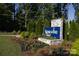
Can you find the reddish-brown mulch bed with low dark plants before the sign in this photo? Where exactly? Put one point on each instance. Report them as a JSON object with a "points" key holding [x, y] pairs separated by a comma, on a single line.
{"points": [[33, 47]]}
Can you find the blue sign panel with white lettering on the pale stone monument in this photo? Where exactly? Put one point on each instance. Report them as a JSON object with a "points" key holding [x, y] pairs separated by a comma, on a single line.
{"points": [[53, 32]]}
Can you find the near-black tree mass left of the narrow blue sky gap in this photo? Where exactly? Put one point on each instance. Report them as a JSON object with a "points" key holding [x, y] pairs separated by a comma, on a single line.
{"points": [[6, 13]]}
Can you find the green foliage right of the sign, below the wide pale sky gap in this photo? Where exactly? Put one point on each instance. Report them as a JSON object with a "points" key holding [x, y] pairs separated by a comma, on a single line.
{"points": [[74, 30]]}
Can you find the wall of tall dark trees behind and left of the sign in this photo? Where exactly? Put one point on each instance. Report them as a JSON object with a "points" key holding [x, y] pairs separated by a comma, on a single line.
{"points": [[28, 17]]}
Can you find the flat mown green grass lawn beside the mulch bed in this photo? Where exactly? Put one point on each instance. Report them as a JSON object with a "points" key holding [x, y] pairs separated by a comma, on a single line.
{"points": [[8, 47]]}
